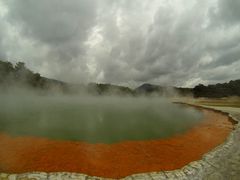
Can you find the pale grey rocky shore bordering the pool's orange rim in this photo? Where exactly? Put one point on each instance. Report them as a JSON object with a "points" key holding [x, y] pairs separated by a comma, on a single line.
{"points": [[223, 162]]}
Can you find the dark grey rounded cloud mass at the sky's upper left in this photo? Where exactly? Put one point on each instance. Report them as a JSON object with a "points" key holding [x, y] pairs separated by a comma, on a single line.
{"points": [[53, 22]]}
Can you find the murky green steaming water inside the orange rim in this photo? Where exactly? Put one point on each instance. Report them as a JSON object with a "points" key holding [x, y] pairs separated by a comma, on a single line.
{"points": [[94, 119]]}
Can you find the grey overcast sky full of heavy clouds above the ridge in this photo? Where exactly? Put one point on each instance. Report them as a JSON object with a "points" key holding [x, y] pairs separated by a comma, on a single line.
{"points": [[126, 42]]}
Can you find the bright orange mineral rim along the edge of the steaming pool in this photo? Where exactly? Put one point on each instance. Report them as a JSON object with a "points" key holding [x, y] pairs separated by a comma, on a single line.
{"points": [[25, 154]]}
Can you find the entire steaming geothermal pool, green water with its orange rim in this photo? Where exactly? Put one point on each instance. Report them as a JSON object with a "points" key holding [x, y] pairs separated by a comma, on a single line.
{"points": [[104, 136]]}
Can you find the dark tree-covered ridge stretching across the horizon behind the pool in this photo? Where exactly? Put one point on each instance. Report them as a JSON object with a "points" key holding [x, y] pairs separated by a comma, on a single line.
{"points": [[20, 76]]}
